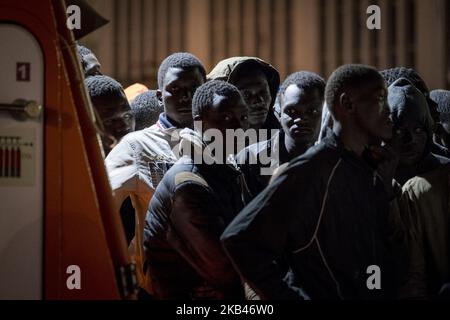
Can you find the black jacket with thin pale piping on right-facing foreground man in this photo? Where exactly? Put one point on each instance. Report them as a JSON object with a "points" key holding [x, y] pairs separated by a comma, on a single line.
{"points": [[327, 213]]}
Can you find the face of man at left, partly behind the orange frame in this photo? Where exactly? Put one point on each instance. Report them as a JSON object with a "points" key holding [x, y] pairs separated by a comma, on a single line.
{"points": [[116, 116]]}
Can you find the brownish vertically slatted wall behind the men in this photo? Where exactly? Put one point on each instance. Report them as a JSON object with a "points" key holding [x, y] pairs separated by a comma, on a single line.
{"points": [[314, 35]]}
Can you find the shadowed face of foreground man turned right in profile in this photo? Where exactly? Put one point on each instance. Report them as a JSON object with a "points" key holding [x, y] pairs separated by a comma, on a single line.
{"points": [[372, 110]]}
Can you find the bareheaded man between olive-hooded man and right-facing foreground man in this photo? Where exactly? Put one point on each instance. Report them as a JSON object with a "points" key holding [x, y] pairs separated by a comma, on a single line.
{"points": [[300, 101]]}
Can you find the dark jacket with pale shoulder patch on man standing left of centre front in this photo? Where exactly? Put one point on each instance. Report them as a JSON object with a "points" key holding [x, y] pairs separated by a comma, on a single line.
{"points": [[188, 212]]}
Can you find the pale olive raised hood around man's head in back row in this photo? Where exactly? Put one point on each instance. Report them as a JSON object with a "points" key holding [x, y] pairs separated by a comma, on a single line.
{"points": [[227, 69]]}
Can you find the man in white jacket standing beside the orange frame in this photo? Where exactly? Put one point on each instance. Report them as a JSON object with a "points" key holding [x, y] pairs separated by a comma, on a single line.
{"points": [[138, 163]]}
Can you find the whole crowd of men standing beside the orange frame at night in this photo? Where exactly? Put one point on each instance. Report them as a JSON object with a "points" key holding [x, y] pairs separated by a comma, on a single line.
{"points": [[343, 195]]}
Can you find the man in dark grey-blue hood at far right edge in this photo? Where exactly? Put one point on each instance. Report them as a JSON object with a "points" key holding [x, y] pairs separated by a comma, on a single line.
{"points": [[424, 205]]}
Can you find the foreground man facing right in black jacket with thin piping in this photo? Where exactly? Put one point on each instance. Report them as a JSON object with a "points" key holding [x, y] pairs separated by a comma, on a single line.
{"points": [[327, 212]]}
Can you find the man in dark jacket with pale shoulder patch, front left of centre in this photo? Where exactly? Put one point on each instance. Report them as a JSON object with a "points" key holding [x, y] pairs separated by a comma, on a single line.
{"points": [[194, 203]]}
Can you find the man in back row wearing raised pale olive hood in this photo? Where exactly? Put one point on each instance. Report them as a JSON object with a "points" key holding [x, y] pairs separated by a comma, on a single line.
{"points": [[258, 83]]}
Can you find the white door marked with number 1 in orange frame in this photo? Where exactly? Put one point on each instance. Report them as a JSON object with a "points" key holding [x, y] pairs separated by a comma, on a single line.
{"points": [[21, 165]]}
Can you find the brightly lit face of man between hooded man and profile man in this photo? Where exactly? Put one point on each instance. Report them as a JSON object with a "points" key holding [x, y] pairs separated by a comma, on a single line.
{"points": [[301, 114]]}
